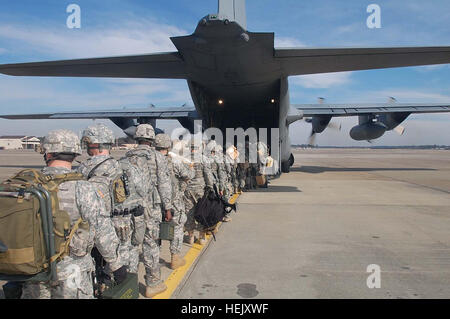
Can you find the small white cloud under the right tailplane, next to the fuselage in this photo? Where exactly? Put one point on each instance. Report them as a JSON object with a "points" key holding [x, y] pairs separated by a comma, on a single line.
{"points": [[322, 81]]}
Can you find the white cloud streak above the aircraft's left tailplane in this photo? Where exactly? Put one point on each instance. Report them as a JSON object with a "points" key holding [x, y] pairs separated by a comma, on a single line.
{"points": [[138, 37]]}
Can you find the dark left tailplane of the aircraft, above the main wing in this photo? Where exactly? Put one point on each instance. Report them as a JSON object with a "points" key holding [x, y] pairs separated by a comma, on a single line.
{"points": [[161, 65]]}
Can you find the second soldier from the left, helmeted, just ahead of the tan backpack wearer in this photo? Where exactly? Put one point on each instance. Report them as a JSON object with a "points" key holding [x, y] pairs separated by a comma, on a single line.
{"points": [[104, 171]]}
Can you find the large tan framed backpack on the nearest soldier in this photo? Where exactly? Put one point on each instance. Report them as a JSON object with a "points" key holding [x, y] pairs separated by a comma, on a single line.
{"points": [[34, 231]]}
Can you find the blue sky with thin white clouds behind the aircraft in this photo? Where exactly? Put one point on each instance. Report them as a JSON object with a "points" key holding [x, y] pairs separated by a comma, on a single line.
{"points": [[36, 30]]}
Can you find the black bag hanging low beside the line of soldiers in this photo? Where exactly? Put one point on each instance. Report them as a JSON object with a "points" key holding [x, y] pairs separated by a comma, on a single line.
{"points": [[211, 209]]}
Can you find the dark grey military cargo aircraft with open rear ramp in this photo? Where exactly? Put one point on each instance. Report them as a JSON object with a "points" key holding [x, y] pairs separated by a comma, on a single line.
{"points": [[238, 79]]}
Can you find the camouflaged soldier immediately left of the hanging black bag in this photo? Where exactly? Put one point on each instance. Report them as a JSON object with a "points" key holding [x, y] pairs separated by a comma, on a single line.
{"points": [[196, 189]]}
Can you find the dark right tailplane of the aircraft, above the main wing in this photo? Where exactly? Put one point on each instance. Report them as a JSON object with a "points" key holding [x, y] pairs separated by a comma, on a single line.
{"points": [[311, 61]]}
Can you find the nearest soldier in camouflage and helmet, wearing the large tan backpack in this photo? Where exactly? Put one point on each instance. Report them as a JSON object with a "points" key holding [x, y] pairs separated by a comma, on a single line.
{"points": [[79, 199]]}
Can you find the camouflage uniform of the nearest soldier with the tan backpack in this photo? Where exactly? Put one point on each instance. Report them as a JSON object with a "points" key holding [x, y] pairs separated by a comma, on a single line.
{"points": [[80, 199]]}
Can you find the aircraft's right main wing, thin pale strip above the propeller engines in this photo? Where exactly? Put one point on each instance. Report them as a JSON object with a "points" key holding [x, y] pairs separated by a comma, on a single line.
{"points": [[351, 109]]}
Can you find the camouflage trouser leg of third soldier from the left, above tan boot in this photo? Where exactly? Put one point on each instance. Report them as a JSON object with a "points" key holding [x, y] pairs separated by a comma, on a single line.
{"points": [[151, 247]]}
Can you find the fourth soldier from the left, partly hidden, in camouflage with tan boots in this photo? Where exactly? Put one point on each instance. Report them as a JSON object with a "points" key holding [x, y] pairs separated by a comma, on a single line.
{"points": [[180, 174]]}
